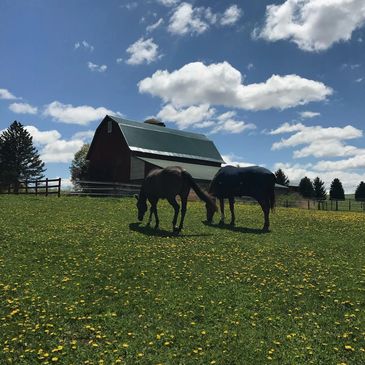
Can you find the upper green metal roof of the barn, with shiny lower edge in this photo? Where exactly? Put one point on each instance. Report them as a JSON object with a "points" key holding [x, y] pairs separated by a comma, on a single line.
{"points": [[148, 138]]}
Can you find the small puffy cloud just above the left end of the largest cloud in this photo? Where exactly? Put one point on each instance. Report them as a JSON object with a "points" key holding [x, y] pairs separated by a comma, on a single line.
{"points": [[142, 51]]}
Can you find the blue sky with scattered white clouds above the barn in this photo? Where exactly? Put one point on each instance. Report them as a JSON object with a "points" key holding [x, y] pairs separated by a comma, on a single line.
{"points": [[272, 83]]}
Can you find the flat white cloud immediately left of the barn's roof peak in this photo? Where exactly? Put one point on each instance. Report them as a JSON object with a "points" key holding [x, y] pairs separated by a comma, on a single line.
{"points": [[67, 113]]}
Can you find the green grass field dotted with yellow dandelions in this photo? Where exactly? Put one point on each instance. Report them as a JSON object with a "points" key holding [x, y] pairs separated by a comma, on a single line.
{"points": [[82, 283]]}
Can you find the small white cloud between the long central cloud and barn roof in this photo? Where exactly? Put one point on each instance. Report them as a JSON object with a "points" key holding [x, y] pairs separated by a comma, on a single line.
{"points": [[185, 118]]}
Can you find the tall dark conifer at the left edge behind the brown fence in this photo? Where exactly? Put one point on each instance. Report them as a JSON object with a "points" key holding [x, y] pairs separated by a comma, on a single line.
{"points": [[19, 159]]}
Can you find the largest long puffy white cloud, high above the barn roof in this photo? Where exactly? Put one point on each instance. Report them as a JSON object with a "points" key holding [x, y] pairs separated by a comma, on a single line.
{"points": [[221, 84]]}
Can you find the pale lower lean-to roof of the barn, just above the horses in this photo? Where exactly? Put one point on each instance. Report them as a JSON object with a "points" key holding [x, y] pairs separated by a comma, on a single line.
{"points": [[200, 172]]}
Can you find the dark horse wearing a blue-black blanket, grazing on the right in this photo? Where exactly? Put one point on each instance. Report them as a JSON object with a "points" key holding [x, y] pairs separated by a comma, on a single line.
{"points": [[254, 181]]}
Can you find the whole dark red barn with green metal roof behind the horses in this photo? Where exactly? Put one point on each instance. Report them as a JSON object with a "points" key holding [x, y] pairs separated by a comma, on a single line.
{"points": [[125, 151]]}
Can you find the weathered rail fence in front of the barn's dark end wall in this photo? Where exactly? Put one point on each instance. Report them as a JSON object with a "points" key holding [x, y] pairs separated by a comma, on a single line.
{"points": [[104, 188]]}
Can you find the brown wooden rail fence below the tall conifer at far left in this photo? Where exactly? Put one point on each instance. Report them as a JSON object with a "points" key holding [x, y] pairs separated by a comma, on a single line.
{"points": [[38, 187]]}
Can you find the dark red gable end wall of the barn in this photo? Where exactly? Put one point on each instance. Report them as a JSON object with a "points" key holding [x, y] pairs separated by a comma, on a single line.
{"points": [[109, 154]]}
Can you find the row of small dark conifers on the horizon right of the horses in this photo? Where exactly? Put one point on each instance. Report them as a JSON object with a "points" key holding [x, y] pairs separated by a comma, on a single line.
{"points": [[316, 189]]}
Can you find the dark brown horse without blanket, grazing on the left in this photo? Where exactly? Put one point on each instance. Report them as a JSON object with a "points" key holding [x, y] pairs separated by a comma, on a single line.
{"points": [[167, 183]]}
